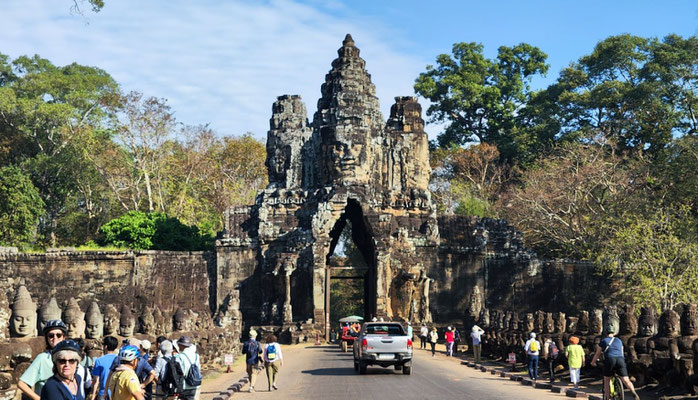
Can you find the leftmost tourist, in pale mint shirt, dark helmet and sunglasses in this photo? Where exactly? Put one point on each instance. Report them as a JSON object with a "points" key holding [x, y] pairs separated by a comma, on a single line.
{"points": [[41, 369]]}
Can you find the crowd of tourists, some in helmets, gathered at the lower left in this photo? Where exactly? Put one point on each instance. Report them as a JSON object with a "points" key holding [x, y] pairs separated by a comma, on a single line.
{"points": [[65, 372]]}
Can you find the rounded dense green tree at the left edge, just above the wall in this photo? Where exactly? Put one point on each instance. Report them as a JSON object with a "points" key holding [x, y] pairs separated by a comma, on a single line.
{"points": [[20, 207]]}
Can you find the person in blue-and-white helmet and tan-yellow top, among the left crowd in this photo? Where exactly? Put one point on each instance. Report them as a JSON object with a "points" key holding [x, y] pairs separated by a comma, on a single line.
{"points": [[123, 383]]}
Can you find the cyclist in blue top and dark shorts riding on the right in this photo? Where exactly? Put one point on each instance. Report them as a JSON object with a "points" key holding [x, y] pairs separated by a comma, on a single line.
{"points": [[612, 349]]}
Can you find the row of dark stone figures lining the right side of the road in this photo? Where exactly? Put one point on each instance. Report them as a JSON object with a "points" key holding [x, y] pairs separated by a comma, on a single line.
{"points": [[660, 348]]}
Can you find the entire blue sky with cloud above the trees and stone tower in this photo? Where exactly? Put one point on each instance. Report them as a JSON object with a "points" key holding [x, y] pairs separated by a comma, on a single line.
{"points": [[224, 62]]}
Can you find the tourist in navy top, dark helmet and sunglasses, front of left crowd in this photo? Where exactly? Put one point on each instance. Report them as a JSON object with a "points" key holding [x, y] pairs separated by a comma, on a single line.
{"points": [[65, 383]]}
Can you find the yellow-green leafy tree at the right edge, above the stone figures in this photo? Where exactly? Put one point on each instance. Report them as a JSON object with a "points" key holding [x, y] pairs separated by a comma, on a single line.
{"points": [[654, 257]]}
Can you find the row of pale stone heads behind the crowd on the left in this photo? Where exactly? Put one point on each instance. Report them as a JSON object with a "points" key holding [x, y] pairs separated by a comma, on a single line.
{"points": [[25, 321]]}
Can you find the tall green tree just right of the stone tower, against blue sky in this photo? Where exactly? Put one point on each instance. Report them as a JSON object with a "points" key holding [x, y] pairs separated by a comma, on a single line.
{"points": [[480, 98]]}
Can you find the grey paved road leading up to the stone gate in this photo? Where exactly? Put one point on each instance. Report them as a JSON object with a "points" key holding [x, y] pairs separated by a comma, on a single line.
{"points": [[323, 372]]}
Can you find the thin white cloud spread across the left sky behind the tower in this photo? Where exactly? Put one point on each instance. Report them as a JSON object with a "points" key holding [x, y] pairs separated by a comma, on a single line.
{"points": [[222, 62]]}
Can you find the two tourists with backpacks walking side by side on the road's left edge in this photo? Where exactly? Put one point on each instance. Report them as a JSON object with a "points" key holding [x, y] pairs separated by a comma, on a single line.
{"points": [[259, 356]]}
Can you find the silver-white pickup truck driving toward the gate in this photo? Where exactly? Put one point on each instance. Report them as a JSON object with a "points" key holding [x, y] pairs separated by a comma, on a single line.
{"points": [[384, 344]]}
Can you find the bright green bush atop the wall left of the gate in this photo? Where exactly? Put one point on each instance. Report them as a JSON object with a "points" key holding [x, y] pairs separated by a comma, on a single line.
{"points": [[153, 231]]}
